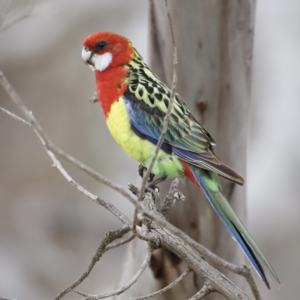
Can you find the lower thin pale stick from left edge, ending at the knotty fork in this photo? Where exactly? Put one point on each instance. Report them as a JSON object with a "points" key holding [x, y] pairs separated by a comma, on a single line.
{"points": [[58, 165]]}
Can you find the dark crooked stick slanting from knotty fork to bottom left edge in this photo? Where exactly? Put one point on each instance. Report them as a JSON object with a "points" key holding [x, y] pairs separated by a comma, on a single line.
{"points": [[102, 248]]}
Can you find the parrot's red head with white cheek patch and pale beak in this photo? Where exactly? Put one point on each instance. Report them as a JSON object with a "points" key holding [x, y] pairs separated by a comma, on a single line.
{"points": [[102, 50]]}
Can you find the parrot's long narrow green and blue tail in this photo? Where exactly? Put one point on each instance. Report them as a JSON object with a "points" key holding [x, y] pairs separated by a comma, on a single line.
{"points": [[209, 183]]}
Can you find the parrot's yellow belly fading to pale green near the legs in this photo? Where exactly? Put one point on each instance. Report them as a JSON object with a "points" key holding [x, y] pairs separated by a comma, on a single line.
{"points": [[140, 149]]}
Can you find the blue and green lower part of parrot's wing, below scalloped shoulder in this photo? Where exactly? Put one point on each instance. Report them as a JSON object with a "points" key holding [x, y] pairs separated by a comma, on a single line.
{"points": [[185, 137]]}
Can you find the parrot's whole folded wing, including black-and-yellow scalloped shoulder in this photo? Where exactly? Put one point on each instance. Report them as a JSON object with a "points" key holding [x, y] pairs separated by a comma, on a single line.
{"points": [[147, 103]]}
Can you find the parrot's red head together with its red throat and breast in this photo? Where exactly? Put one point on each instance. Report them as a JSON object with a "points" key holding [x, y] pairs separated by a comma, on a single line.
{"points": [[107, 53]]}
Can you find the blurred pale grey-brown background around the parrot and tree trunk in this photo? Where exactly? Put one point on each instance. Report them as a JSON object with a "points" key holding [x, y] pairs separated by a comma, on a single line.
{"points": [[49, 231]]}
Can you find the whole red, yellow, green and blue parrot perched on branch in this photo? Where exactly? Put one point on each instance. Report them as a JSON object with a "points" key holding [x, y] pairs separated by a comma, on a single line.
{"points": [[134, 102]]}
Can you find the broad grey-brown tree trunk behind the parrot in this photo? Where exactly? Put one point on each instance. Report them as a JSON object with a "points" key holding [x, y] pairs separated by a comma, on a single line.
{"points": [[214, 41]]}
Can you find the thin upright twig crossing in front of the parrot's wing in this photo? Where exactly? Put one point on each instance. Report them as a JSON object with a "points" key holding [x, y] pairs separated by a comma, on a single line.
{"points": [[168, 114]]}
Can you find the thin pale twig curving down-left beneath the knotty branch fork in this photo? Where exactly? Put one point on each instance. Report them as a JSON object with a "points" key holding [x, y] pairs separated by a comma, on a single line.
{"points": [[127, 285]]}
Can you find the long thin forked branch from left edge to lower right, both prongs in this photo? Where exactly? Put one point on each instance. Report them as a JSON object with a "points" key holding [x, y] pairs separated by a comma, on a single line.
{"points": [[50, 148]]}
